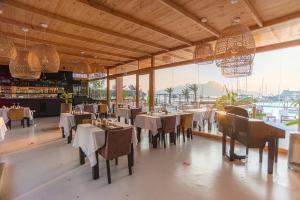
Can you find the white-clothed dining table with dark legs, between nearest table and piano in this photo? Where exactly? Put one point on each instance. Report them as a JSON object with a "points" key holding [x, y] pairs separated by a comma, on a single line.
{"points": [[152, 123]]}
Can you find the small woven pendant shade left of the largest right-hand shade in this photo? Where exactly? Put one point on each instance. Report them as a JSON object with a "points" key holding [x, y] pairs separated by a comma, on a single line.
{"points": [[204, 52]]}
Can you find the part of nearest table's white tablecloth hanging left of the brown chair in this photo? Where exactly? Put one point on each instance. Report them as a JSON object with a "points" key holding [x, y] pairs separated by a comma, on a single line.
{"points": [[89, 138]]}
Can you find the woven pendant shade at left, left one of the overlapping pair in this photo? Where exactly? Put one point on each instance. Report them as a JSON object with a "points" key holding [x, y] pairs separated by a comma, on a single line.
{"points": [[19, 68]]}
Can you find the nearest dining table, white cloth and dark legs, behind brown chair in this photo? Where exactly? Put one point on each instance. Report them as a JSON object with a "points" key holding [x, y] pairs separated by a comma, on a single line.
{"points": [[89, 138]]}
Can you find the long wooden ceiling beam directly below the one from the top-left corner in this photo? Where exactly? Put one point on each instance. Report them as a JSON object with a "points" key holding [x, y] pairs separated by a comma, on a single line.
{"points": [[67, 35]]}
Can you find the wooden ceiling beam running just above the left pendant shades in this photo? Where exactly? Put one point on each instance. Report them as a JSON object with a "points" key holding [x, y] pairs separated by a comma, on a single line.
{"points": [[13, 35]]}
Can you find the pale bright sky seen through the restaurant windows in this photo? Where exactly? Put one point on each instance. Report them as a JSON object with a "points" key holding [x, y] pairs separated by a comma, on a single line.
{"points": [[273, 71]]}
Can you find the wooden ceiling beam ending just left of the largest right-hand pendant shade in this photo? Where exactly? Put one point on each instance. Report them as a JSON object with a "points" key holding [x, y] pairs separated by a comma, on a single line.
{"points": [[179, 9]]}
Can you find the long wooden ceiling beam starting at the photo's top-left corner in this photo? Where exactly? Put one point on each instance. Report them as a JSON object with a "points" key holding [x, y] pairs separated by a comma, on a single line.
{"points": [[81, 24]]}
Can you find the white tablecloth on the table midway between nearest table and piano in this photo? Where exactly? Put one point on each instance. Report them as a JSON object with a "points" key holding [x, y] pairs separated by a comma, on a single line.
{"points": [[153, 122]]}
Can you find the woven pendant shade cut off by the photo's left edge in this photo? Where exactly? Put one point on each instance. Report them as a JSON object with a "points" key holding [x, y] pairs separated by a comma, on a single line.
{"points": [[7, 48]]}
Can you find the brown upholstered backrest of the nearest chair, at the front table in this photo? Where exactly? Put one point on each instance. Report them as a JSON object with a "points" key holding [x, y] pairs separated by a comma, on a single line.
{"points": [[118, 143]]}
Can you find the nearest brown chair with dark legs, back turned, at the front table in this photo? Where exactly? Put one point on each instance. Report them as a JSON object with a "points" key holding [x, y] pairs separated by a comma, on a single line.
{"points": [[118, 143]]}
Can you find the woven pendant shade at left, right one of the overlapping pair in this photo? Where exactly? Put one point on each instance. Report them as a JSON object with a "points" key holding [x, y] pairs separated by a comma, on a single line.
{"points": [[43, 57]]}
